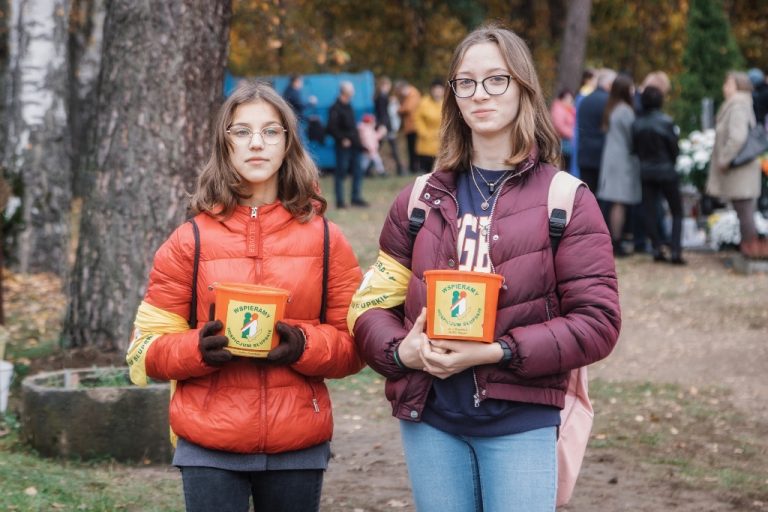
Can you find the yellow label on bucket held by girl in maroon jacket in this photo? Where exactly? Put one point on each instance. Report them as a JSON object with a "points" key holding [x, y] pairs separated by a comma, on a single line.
{"points": [[459, 308]]}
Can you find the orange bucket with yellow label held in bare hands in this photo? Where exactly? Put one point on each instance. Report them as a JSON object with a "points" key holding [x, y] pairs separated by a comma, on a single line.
{"points": [[461, 305]]}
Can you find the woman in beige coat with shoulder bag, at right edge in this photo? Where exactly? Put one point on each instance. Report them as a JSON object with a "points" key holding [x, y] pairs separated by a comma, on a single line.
{"points": [[738, 184]]}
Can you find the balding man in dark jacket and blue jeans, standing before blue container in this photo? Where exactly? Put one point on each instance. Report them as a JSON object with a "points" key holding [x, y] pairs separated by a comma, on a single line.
{"points": [[343, 128]]}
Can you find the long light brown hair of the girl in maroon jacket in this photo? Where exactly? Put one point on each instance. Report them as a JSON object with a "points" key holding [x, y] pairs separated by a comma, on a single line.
{"points": [[532, 127]]}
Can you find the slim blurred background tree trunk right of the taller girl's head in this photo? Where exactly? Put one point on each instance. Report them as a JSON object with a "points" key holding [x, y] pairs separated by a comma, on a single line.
{"points": [[574, 45]]}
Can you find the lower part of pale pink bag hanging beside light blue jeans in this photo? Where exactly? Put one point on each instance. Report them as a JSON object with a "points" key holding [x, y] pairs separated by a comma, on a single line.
{"points": [[575, 427]]}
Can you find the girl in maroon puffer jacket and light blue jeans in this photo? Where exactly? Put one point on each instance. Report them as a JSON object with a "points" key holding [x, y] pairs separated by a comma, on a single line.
{"points": [[479, 421]]}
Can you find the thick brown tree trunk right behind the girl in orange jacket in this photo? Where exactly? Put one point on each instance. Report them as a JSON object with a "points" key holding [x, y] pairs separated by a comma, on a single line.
{"points": [[160, 82]]}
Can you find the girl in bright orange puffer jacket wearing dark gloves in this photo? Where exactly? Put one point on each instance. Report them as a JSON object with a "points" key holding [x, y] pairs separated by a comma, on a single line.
{"points": [[251, 428]]}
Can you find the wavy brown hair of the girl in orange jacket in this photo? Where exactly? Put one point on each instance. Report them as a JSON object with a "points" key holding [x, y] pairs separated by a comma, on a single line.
{"points": [[220, 187]]}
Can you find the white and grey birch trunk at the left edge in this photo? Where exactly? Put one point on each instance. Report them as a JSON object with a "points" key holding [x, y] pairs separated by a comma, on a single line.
{"points": [[37, 137]]}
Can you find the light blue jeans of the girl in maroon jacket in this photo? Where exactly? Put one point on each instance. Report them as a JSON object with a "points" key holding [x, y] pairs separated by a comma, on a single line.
{"points": [[449, 473]]}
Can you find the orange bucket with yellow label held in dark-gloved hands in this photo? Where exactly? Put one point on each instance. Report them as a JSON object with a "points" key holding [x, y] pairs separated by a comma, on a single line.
{"points": [[249, 313]]}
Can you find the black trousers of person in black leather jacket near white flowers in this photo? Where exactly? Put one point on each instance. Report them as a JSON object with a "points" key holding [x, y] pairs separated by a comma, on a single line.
{"points": [[671, 192]]}
